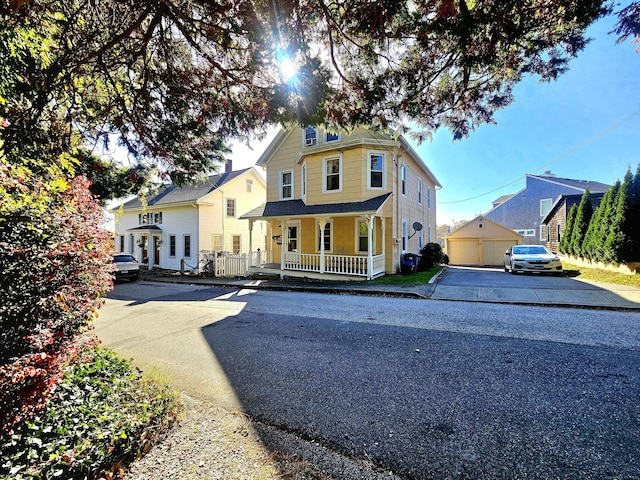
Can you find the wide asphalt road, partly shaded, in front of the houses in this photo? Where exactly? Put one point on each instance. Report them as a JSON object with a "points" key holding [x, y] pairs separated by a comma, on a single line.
{"points": [[426, 389]]}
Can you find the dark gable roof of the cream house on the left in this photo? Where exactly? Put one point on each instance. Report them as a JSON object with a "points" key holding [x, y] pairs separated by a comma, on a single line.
{"points": [[172, 194]]}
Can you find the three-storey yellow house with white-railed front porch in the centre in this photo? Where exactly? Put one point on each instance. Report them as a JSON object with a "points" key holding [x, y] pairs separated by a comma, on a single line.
{"points": [[344, 204]]}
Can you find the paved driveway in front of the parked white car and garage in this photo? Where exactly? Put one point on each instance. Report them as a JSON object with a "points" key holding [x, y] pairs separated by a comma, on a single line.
{"points": [[494, 285]]}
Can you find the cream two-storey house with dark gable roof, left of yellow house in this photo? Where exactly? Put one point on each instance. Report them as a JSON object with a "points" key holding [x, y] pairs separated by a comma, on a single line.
{"points": [[176, 228]]}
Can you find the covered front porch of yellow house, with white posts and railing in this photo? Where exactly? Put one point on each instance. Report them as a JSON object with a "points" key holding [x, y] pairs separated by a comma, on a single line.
{"points": [[347, 241]]}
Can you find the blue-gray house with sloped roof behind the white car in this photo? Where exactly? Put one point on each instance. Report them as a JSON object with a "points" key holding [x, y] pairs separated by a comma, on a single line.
{"points": [[525, 210]]}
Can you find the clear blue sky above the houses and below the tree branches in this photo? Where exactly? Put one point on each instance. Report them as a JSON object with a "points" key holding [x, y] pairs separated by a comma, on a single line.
{"points": [[565, 126]]}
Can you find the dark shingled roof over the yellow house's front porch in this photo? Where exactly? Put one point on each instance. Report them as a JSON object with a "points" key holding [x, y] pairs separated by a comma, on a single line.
{"points": [[297, 208]]}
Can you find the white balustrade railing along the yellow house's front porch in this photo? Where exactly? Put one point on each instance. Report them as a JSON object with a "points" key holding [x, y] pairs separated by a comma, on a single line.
{"points": [[356, 265]]}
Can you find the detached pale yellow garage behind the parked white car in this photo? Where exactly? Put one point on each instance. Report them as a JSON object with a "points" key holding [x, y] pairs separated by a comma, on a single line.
{"points": [[480, 242]]}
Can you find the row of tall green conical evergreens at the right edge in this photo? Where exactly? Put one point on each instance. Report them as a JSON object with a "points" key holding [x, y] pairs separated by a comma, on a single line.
{"points": [[611, 234]]}
